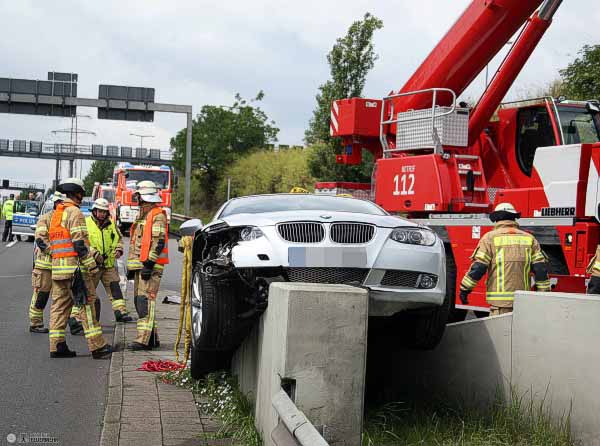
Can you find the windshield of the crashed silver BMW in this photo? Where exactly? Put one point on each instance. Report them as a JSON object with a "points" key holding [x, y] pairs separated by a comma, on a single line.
{"points": [[298, 202]]}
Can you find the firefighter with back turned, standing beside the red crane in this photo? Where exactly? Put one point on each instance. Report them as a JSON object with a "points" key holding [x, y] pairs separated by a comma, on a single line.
{"points": [[508, 255]]}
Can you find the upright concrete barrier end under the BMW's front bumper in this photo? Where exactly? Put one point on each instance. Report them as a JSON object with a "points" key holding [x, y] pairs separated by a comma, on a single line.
{"points": [[313, 339]]}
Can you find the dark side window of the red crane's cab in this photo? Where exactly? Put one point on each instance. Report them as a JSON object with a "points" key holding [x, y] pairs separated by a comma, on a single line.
{"points": [[534, 129]]}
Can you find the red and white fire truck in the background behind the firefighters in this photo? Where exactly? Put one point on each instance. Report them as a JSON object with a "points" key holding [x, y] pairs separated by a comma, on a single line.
{"points": [[126, 176]]}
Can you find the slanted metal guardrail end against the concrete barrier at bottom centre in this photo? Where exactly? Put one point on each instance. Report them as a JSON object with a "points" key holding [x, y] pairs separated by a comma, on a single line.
{"points": [[294, 428]]}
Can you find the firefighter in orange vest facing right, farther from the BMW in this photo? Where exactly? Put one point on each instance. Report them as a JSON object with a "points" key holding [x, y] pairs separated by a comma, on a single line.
{"points": [[70, 250]]}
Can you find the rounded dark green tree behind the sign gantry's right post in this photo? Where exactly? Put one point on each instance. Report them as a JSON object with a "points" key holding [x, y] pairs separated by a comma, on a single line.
{"points": [[219, 136]]}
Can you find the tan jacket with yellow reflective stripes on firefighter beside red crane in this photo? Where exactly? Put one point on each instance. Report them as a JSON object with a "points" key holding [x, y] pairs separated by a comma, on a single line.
{"points": [[508, 254]]}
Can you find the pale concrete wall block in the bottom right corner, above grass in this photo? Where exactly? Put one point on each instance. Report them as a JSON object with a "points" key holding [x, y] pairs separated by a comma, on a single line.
{"points": [[556, 356]]}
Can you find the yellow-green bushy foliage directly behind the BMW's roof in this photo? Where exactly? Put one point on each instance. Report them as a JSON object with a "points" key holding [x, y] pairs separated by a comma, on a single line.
{"points": [[266, 171]]}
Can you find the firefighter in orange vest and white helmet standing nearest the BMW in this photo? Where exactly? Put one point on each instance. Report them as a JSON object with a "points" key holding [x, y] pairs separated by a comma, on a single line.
{"points": [[148, 255]]}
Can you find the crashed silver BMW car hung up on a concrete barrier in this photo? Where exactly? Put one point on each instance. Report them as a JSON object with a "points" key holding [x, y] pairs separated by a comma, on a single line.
{"points": [[256, 240]]}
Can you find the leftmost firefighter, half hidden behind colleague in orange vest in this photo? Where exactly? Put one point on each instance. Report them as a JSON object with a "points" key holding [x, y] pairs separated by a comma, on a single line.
{"points": [[41, 276]]}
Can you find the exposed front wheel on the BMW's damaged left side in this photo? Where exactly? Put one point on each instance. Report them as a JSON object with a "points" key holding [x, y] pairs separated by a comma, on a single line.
{"points": [[216, 329]]}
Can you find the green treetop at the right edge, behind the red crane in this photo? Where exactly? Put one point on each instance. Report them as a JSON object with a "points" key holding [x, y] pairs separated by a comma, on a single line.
{"points": [[581, 78]]}
